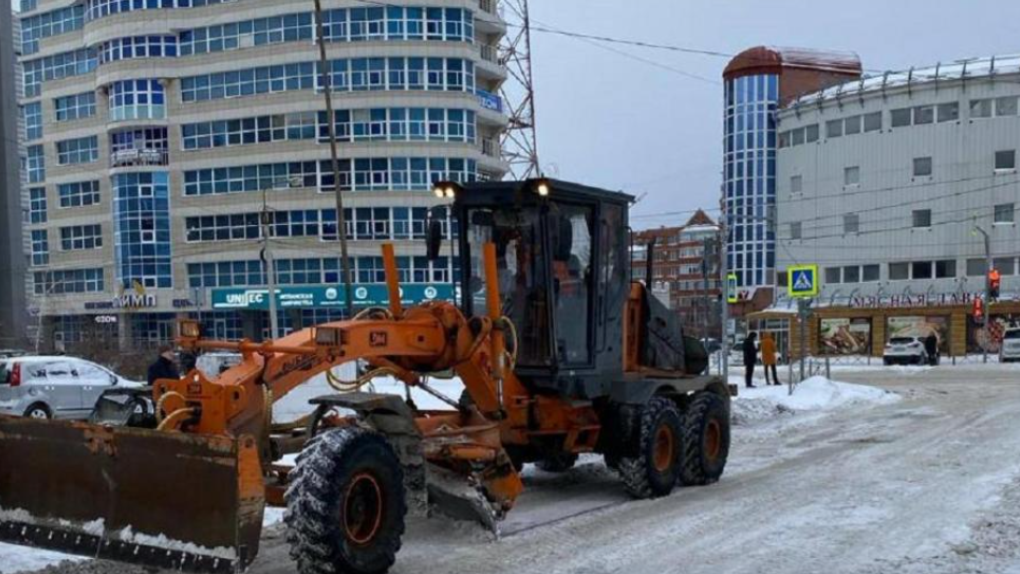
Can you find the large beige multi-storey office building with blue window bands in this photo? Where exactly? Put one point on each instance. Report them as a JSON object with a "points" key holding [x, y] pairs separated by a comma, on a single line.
{"points": [[159, 132]]}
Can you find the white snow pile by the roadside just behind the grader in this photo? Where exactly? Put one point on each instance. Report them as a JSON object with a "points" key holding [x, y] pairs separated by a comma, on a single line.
{"points": [[814, 395]]}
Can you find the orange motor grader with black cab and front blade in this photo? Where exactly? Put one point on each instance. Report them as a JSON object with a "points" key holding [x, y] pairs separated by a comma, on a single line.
{"points": [[559, 353]]}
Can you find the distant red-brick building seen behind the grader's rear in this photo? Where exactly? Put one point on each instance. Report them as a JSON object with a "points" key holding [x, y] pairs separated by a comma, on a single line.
{"points": [[687, 268]]}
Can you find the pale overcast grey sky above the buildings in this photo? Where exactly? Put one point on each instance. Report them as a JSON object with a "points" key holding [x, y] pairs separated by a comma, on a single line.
{"points": [[608, 121]]}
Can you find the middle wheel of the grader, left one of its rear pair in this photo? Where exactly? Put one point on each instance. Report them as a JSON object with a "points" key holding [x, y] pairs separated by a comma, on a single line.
{"points": [[656, 468]]}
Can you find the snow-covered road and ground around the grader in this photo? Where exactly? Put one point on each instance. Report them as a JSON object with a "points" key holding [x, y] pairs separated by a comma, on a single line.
{"points": [[845, 478]]}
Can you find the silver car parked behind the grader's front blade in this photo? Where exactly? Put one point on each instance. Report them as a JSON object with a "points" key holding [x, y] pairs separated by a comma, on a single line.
{"points": [[64, 388]]}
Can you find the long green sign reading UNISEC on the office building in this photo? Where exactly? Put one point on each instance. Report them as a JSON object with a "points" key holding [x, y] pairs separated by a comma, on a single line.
{"points": [[326, 297]]}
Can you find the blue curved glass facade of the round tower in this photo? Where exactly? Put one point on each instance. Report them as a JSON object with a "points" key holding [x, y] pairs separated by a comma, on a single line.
{"points": [[750, 147]]}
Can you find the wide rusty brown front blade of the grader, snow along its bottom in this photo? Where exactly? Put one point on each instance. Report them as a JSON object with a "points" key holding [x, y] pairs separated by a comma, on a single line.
{"points": [[161, 500]]}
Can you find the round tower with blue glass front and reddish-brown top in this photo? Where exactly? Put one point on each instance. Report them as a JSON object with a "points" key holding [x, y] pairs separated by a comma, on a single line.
{"points": [[758, 83]]}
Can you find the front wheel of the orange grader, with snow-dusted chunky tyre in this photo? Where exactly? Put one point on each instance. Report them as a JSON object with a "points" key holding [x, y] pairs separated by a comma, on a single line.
{"points": [[346, 504]]}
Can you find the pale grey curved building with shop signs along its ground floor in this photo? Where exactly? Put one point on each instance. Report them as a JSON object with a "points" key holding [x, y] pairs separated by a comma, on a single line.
{"points": [[893, 185]]}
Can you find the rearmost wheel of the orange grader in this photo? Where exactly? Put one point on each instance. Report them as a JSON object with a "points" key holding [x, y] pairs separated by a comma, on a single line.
{"points": [[706, 440]]}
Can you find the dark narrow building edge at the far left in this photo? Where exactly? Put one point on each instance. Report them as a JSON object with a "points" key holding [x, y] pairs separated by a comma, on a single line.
{"points": [[13, 262]]}
